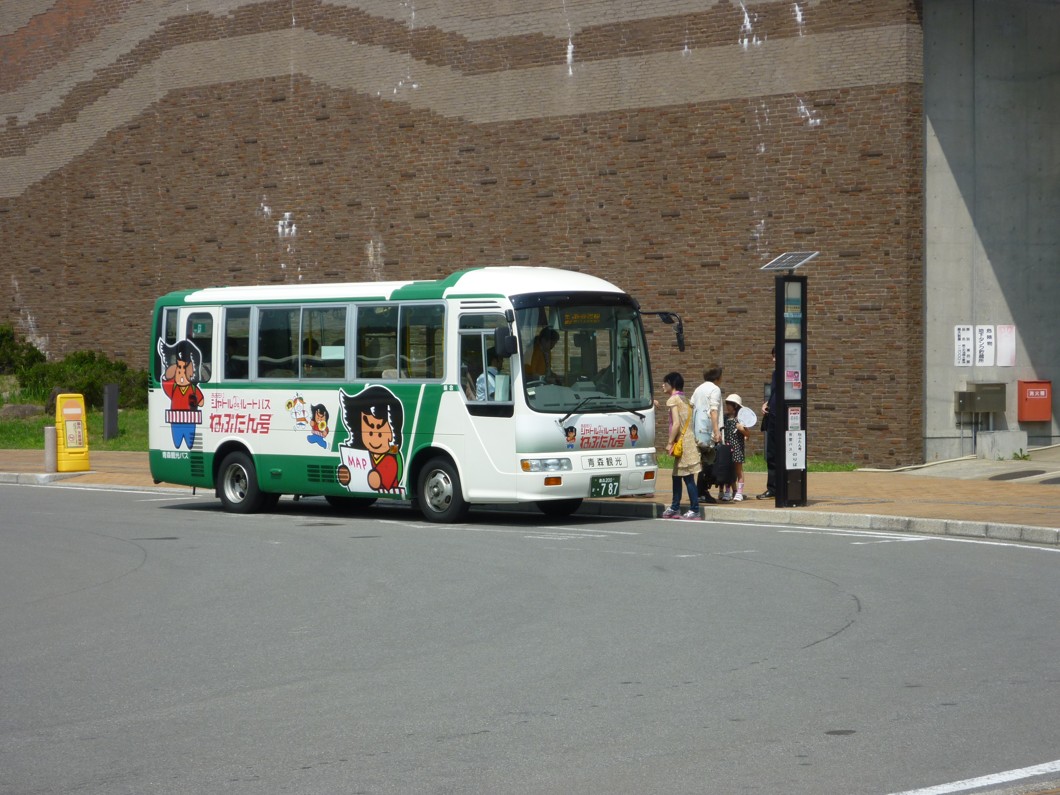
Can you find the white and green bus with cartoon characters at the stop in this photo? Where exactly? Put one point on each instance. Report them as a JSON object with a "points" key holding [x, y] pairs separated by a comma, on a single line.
{"points": [[494, 385]]}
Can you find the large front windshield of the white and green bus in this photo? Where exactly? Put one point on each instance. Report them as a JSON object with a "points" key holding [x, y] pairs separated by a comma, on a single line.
{"points": [[582, 352]]}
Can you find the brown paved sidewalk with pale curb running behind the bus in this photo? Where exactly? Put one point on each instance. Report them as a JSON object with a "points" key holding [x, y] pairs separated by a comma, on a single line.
{"points": [[1014, 501]]}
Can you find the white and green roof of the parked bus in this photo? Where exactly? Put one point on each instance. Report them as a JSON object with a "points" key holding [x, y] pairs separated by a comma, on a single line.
{"points": [[511, 280]]}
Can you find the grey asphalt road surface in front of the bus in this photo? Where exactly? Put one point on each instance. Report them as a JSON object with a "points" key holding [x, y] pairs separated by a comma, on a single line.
{"points": [[152, 644]]}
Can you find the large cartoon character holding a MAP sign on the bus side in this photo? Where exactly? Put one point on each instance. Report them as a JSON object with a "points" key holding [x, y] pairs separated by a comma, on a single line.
{"points": [[372, 458]]}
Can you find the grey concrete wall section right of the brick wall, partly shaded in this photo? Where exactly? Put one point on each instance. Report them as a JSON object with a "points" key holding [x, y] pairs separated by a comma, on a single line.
{"points": [[993, 205]]}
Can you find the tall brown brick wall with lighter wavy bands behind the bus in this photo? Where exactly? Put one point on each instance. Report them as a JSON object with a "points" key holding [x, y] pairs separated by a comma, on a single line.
{"points": [[674, 153]]}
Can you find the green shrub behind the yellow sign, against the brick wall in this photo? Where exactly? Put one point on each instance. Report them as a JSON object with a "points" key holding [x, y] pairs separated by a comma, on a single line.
{"points": [[86, 374]]}
